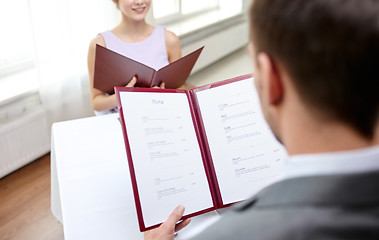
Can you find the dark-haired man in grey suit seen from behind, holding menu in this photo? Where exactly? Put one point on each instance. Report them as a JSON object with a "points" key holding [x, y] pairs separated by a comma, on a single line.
{"points": [[316, 72]]}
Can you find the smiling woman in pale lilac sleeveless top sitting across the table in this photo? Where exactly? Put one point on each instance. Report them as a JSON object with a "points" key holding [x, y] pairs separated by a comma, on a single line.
{"points": [[153, 46]]}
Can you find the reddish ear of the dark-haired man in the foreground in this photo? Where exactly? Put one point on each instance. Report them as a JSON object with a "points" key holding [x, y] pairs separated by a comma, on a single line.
{"points": [[272, 78]]}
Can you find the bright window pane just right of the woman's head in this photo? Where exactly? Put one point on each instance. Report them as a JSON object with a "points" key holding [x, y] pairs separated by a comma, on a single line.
{"points": [[171, 10]]}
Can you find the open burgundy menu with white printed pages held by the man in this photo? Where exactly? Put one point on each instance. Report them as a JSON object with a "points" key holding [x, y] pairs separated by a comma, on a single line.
{"points": [[205, 148]]}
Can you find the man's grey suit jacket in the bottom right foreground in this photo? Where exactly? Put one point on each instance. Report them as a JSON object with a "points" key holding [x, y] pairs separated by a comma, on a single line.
{"points": [[320, 207]]}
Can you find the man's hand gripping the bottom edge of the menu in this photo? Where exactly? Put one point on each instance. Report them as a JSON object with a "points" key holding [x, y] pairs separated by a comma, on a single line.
{"points": [[167, 230]]}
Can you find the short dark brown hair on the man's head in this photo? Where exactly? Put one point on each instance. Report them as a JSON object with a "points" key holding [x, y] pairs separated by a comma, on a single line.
{"points": [[330, 48]]}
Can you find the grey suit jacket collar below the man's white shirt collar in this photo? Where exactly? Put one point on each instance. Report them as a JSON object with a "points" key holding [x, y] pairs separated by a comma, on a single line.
{"points": [[354, 190]]}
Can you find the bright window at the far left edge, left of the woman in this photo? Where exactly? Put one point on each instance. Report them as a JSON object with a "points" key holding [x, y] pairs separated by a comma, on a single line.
{"points": [[17, 65]]}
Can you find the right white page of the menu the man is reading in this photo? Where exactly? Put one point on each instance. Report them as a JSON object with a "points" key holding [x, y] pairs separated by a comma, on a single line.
{"points": [[245, 154]]}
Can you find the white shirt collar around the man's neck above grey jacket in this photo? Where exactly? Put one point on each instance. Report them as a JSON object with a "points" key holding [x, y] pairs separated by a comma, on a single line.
{"points": [[344, 162]]}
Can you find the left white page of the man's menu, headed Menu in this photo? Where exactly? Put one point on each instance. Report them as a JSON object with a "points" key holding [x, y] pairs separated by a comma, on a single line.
{"points": [[165, 153]]}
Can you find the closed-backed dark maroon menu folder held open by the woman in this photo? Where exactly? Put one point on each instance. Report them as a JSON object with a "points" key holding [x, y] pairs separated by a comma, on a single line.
{"points": [[113, 69]]}
